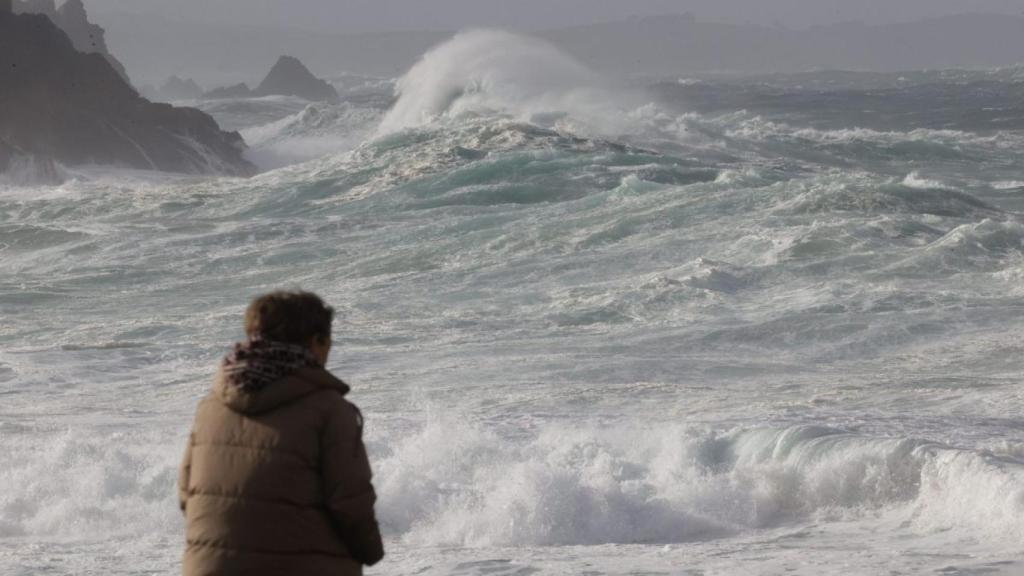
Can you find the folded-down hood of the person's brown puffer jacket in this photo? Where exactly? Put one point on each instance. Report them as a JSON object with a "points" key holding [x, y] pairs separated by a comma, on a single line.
{"points": [[286, 391]]}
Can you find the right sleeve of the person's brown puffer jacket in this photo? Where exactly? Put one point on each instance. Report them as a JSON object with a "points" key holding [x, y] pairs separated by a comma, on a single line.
{"points": [[348, 485]]}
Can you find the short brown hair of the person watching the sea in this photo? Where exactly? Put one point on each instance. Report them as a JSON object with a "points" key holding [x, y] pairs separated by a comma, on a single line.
{"points": [[292, 317]]}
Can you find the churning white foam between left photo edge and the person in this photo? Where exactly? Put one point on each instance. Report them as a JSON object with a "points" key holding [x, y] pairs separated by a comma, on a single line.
{"points": [[73, 486]]}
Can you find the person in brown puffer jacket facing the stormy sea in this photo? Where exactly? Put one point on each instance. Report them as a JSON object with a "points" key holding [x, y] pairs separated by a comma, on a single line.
{"points": [[276, 479]]}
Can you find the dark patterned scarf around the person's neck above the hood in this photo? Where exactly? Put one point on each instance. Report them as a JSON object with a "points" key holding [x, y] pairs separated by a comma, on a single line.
{"points": [[253, 365]]}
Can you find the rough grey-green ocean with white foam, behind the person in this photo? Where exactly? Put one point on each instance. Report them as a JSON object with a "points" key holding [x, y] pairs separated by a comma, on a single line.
{"points": [[697, 326]]}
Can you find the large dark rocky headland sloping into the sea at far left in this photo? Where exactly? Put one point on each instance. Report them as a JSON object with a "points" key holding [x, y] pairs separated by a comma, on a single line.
{"points": [[60, 104]]}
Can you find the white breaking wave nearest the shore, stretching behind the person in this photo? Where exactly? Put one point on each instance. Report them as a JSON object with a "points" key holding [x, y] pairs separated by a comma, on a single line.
{"points": [[451, 483]]}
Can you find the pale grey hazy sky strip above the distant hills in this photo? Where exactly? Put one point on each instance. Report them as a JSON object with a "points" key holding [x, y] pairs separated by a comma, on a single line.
{"points": [[375, 16]]}
